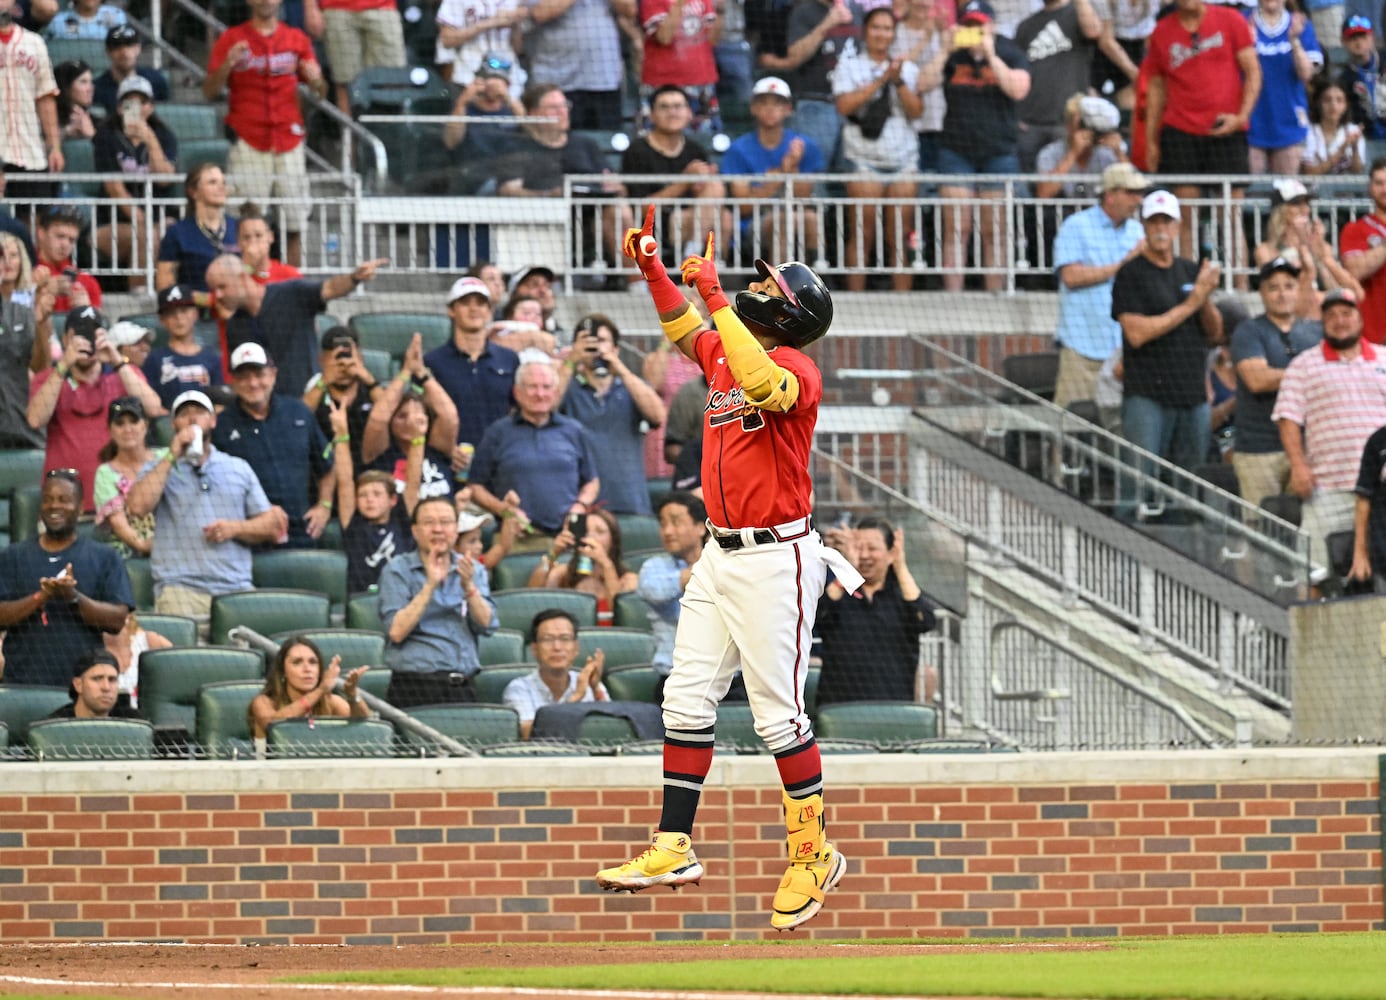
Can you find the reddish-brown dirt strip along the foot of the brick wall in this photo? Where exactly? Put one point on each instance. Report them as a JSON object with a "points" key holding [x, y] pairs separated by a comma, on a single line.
{"points": [[159, 972]]}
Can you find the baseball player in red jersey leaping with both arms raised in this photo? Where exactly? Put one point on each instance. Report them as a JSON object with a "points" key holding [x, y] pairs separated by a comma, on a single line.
{"points": [[752, 598]]}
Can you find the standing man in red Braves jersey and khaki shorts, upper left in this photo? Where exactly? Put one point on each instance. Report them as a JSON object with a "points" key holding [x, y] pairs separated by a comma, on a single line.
{"points": [[260, 63]]}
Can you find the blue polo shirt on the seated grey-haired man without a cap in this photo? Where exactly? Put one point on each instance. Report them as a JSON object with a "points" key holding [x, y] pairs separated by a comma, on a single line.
{"points": [[547, 466]]}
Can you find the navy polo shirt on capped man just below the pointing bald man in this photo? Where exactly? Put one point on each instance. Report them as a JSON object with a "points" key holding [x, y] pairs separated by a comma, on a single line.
{"points": [[288, 451]]}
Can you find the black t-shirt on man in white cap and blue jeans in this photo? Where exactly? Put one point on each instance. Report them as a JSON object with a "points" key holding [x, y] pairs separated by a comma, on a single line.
{"points": [[1173, 369]]}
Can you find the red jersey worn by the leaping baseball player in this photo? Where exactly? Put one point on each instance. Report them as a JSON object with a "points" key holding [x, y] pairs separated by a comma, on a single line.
{"points": [[756, 462]]}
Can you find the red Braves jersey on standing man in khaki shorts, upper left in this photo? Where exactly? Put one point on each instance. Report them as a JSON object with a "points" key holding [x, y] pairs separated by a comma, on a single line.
{"points": [[263, 105]]}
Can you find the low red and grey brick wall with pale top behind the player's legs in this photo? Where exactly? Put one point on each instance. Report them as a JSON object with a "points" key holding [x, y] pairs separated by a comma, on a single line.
{"points": [[475, 851]]}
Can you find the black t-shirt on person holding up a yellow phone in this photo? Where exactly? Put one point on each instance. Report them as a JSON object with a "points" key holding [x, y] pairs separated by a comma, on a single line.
{"points": [[981, 123]]}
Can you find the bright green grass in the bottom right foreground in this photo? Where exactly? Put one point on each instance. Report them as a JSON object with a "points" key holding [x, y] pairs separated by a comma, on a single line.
{"points": [[1237, 967]]}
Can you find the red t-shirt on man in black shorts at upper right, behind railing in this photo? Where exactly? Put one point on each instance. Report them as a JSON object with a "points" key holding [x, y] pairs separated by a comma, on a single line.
{"points": [[1201, 81]]}
